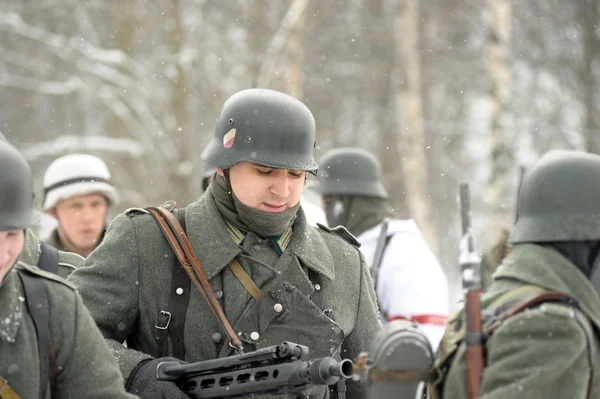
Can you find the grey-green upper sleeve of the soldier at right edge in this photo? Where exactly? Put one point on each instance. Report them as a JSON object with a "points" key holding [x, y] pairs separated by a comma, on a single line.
{"points": [[540, 353]]}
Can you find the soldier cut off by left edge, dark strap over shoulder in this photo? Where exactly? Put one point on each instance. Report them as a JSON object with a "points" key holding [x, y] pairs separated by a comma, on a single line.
{"points": [[49, 344]]}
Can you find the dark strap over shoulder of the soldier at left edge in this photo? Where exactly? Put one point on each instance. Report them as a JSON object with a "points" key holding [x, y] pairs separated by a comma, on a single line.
{"points": [[36, 297]]}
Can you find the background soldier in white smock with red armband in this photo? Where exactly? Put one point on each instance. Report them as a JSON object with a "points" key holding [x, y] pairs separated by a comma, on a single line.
{"points": [[410, 283]]}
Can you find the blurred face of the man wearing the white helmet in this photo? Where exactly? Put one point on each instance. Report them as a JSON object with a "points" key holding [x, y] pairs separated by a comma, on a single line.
{"points": [[82, 219]]}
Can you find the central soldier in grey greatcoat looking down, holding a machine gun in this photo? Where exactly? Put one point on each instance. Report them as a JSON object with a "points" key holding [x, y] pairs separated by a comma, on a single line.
{"points": [[313, 286]]}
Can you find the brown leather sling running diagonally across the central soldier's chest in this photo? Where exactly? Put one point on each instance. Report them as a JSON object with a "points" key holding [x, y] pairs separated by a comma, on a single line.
{"points": [[182, 248]]}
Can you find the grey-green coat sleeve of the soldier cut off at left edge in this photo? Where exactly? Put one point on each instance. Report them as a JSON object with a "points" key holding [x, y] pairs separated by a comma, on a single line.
{"points": [[86, 366]]}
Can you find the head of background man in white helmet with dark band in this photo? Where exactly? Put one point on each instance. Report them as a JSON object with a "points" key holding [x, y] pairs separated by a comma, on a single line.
{"points": [[78, 193]]}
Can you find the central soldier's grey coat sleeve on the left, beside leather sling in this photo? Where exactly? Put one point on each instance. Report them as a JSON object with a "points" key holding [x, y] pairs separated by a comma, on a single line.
{"points": [[109, 285]]}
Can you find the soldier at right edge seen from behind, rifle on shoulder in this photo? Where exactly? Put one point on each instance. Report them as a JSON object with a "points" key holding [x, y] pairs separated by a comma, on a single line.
{"points": [[540, 345]]}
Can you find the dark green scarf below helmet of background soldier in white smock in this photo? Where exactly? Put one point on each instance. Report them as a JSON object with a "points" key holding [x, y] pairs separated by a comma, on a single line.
{"points": [[358, 214]]}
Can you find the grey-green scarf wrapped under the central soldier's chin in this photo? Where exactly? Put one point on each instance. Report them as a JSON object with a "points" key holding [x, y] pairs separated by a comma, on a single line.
{"points": [[245, 218]]}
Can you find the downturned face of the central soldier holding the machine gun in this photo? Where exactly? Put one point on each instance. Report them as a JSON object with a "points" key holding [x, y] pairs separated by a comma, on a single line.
{"points": [[264, 188]]}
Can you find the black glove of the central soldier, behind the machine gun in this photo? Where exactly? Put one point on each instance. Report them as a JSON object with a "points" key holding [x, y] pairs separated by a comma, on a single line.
{"points": [[143, 382]]}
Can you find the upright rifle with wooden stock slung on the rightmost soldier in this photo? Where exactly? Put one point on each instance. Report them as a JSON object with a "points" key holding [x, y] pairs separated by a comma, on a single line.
{"points": [[471, 281]]}
